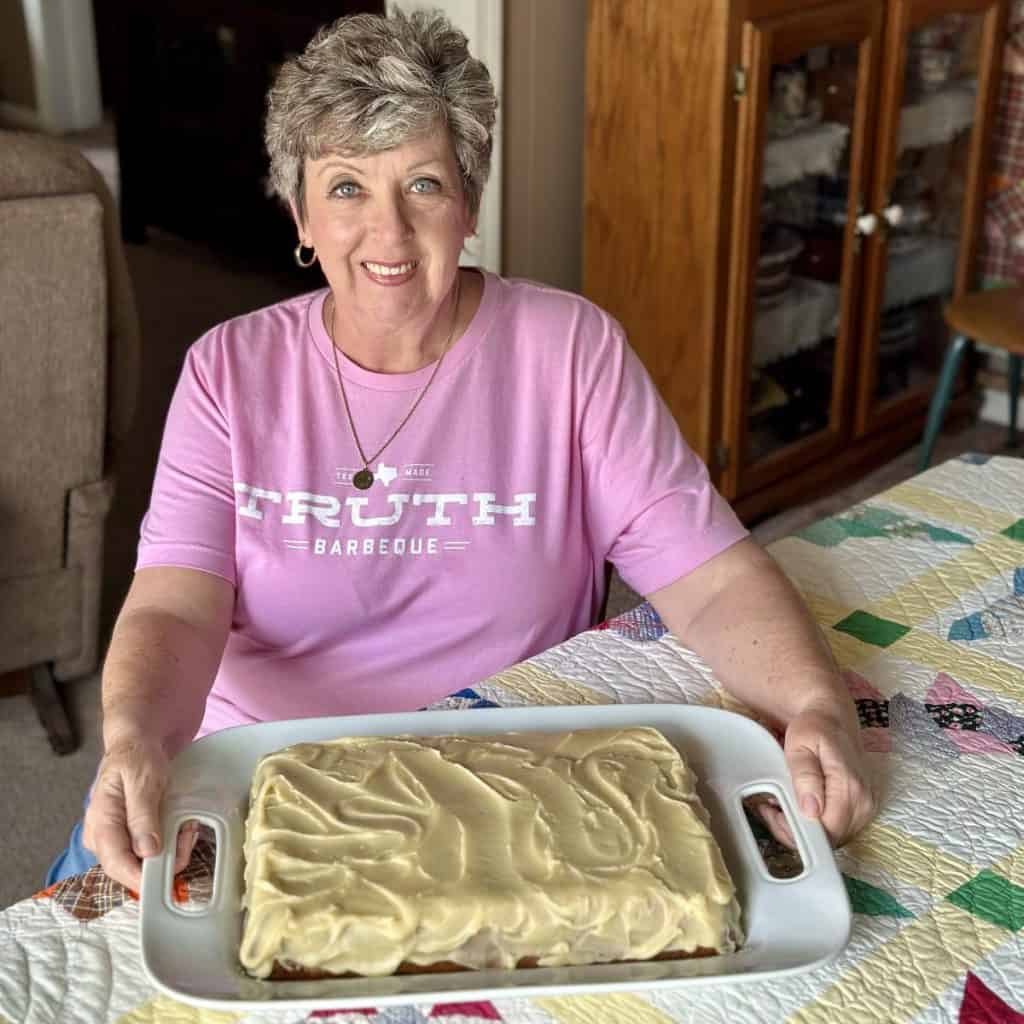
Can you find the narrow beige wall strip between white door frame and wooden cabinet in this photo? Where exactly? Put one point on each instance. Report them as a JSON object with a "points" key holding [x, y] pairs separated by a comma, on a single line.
{"points": [[542, 222]]}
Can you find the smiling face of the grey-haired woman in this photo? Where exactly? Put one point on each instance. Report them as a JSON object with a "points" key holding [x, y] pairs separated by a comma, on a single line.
{"points": [[389, 229]]}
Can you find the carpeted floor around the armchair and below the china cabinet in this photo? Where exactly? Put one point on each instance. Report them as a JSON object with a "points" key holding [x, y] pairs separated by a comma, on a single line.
{"points": [[183, 290]]}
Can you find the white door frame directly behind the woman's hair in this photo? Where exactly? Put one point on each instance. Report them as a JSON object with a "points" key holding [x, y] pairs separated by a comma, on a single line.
{"points": [[484, 23]]}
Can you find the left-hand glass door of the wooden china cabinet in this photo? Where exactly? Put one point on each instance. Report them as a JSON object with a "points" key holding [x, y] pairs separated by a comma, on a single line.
{"points": [[801, 174]]}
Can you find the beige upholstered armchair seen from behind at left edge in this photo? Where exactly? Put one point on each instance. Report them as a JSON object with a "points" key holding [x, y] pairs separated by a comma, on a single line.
{"points": [[69, 363]]}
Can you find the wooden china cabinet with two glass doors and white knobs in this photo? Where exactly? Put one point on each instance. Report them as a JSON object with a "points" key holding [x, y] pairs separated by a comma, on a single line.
{"points": [[780, 197]]}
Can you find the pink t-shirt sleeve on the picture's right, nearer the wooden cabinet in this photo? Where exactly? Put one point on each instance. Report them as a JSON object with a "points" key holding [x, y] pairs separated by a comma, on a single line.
{"points": [[652, 507]]}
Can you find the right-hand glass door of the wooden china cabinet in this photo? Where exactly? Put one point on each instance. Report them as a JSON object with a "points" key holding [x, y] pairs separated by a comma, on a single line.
{"points": [[926, 208]]}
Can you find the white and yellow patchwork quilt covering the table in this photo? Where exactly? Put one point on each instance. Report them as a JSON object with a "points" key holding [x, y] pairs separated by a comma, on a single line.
{"points": [[921, 592]]}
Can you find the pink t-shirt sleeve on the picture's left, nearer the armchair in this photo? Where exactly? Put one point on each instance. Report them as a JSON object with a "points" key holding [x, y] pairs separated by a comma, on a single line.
{"points": [[191, 521]]}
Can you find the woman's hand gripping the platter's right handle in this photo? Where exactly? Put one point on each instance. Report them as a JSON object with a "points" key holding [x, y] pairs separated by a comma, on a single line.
{"points": [[830, 774]]}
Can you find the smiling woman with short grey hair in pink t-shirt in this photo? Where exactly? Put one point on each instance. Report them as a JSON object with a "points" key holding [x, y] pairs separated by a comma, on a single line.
{"points": [[375, 495]]}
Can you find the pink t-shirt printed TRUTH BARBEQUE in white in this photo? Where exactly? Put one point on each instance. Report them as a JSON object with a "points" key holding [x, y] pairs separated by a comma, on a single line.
{"points": [[541, 450]]}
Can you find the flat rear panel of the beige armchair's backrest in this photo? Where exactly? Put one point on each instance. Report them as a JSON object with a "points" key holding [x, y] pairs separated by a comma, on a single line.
{"points": [[53, 371]]}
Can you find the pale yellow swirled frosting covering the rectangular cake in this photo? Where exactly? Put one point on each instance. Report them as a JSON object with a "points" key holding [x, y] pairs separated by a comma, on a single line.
{"points": [[574, 848]]}
